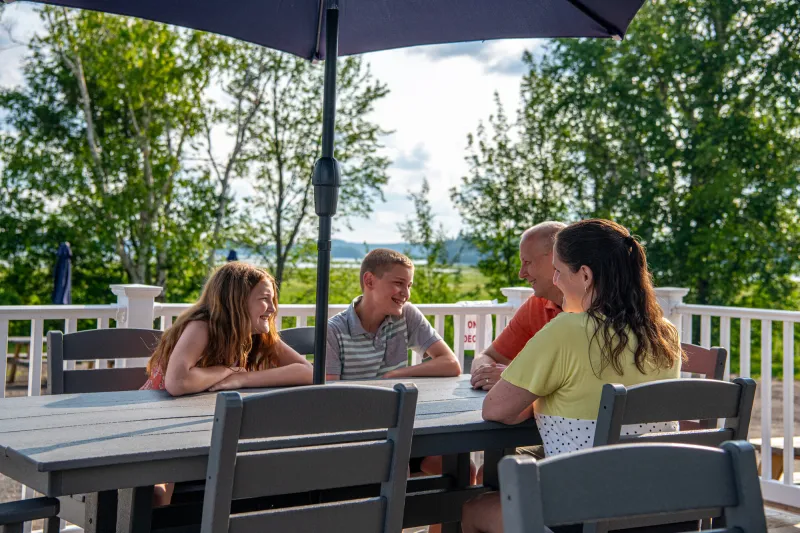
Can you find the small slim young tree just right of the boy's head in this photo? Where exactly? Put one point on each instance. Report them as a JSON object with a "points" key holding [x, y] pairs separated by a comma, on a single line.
{"points": [[436, 279]]}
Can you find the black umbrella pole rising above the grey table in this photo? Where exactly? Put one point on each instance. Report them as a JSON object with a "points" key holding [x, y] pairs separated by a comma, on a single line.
{"points": [[326, 180]]}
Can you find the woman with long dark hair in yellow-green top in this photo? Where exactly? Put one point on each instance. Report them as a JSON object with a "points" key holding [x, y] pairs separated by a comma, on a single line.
{"points": [[612, 331]]}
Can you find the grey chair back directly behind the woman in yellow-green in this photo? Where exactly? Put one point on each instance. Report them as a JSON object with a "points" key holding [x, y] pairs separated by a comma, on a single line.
{"points": [[673, 400]]}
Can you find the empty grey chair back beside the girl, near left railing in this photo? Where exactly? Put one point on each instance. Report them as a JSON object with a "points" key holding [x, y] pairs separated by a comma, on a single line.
{"points": [[121, 343]]}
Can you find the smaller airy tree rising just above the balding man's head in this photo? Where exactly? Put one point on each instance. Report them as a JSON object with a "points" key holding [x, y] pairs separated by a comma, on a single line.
{"points": [[517, 179]]}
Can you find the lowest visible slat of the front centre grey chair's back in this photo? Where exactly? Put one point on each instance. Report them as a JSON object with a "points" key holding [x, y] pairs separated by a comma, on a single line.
{"points": [[357, 516]]}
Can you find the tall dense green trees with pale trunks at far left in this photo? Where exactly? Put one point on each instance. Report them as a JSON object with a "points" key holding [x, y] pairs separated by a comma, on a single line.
{"points": [[95, 145]]}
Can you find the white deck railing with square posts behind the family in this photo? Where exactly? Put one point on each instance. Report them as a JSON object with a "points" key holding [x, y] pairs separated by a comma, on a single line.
{"points": [[136, 307]]}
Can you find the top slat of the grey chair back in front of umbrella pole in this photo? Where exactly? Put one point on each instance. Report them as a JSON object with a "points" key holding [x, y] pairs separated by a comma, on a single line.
{"points": [[326, 409]]}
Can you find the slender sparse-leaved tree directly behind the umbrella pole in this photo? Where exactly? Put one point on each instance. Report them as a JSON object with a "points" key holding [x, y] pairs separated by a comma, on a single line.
{"points": [[284, 140]]}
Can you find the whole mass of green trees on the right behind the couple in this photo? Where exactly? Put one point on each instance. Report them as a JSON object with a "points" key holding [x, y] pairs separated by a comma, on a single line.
{"points": [[686, 132]]}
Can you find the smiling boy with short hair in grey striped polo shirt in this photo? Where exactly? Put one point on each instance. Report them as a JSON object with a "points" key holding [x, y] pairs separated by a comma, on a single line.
{"points": [[371, 338]]}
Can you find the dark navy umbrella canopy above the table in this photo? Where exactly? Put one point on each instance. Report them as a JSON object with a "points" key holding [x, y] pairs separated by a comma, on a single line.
{"points": [[298, 26]]}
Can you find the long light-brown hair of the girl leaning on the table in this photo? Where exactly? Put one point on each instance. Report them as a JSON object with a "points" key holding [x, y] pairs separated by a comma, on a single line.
{"points": [[223, 306]]}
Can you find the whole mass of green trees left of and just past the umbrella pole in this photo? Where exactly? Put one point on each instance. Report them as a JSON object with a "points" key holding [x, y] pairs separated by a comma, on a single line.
{"points": [[109, 144]]}
